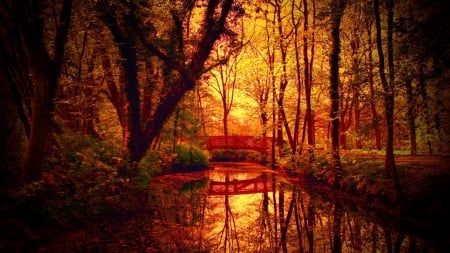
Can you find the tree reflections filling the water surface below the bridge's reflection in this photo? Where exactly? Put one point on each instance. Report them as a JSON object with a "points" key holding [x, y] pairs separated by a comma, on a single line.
{"points": [[290, 220]]}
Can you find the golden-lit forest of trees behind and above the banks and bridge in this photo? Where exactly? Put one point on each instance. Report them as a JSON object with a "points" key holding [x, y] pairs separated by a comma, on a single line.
{"points": [[141, 75]]}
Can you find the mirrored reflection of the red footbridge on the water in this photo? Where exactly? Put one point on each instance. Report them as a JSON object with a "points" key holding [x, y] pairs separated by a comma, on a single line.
{"points": [[236, 187]]}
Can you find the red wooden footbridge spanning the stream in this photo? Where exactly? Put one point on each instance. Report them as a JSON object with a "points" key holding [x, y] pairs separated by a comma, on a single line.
{"points": [[238, 142]]}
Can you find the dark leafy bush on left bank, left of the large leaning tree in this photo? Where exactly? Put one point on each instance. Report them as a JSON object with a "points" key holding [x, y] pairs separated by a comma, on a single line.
{"points": [[80, 180]]}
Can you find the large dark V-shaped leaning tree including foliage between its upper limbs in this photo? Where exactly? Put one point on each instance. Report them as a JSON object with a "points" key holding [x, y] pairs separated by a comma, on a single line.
{"points": [[183, 58]]}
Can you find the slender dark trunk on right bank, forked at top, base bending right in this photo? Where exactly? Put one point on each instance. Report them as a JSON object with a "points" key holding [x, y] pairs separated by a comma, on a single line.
{"points": [[388, 87]]}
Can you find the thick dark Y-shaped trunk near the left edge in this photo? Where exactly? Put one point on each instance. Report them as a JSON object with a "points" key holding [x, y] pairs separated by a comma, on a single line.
{"points": [[45, 72]]}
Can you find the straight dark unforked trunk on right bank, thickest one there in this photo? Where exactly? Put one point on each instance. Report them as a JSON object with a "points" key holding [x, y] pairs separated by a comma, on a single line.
{"points": [[336, 17]]}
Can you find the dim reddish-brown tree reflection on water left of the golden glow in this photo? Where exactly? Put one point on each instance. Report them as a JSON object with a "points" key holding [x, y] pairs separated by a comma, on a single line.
{"points": [[178, 222]]}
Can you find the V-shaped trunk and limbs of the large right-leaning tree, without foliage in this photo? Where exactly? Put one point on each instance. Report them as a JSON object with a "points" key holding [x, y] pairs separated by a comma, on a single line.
{"points": [[128, 34]]}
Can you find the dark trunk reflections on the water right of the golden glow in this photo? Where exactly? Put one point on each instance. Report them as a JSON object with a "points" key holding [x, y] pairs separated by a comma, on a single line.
{"points": [[314, 225]]}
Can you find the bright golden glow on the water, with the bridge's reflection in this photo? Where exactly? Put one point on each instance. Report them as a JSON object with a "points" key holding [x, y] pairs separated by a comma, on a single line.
{"points": [[235, 215]]}
